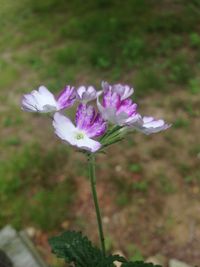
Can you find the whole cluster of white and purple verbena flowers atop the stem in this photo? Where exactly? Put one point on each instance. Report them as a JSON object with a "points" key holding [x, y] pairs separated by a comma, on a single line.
{"points": [[95, 128]]}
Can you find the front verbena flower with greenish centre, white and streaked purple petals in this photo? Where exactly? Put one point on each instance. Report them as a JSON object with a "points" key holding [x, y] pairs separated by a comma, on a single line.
{"points": [[89, 124]]}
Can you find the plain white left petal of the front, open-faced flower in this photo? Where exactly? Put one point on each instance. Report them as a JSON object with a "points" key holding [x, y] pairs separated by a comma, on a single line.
{"points": [[64, 128]]}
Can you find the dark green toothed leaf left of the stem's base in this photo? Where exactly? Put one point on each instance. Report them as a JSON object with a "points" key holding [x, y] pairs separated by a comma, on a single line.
{"points": [[75, 248]]}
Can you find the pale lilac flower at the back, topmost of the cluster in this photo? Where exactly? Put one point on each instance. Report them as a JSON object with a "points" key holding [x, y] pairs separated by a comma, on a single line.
{"points": [[124, 91]]}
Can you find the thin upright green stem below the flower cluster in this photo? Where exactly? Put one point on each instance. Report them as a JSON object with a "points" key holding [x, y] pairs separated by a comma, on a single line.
{"points": [[94, 194]]}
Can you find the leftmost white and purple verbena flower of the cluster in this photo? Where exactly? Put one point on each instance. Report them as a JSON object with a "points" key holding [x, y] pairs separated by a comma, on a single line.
{"points": [[42, 100]]}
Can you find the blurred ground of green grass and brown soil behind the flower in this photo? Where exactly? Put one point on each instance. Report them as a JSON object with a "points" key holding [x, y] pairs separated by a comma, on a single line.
{"points": [[149, 186]]}
